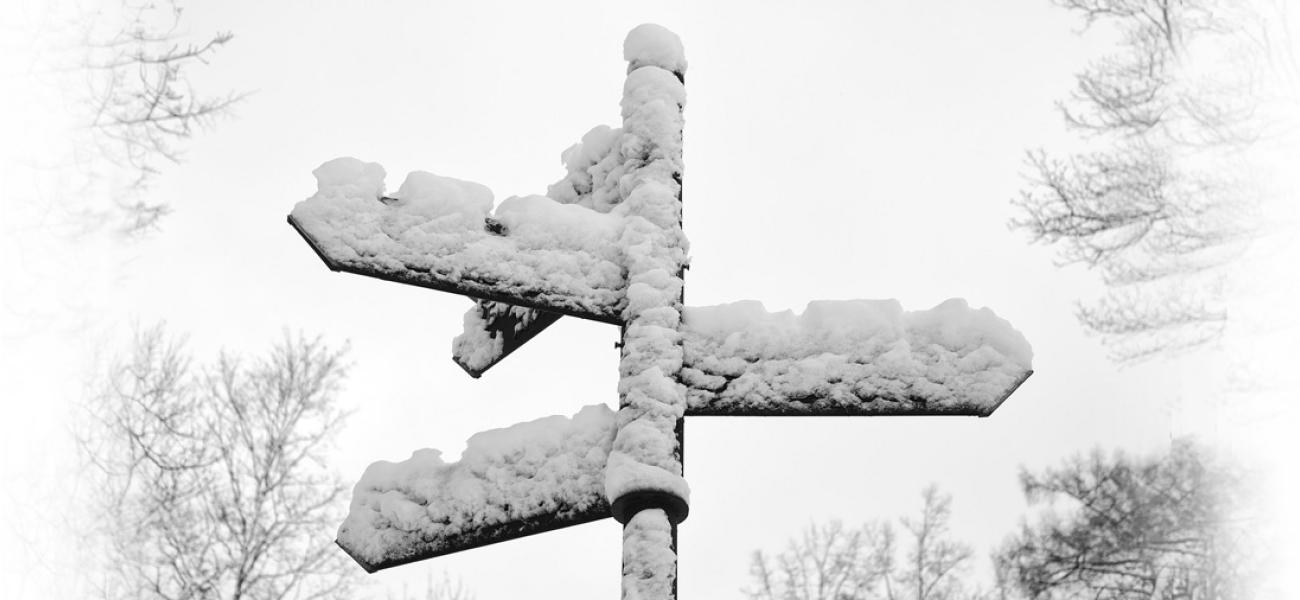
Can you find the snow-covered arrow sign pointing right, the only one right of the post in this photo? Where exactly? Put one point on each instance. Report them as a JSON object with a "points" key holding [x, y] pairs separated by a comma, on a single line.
{"points": [[851, 358]]}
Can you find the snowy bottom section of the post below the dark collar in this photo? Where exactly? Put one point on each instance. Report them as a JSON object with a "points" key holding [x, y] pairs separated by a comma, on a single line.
{"points": [[649, 564]]}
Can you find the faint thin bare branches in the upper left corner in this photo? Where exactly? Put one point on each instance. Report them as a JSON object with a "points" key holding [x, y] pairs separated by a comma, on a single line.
{"points": [[122, 77]]}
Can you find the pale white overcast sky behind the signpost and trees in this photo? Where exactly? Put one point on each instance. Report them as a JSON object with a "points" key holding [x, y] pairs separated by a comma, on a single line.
{"points": [[834, 151]]}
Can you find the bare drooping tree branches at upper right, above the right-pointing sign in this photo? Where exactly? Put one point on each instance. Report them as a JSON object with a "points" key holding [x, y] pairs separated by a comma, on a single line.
{"points": [[1167, 198]]}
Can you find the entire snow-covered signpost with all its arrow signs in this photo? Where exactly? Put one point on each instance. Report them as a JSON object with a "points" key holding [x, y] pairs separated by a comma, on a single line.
{"points": [[606, 244]]}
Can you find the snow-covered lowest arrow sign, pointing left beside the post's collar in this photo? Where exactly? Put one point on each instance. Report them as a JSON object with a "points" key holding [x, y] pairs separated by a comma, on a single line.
{"points": [[512, 482]]}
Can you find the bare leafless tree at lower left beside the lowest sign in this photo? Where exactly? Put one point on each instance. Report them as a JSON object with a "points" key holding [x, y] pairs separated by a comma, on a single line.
{"points": [[211, 481]]}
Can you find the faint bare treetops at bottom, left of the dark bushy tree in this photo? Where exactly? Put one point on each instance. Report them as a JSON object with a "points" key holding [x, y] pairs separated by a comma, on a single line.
{"points": [[834, 563]]}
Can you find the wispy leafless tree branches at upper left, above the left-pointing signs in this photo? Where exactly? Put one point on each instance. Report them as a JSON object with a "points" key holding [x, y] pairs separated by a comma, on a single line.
{"points": [[125, 72]]}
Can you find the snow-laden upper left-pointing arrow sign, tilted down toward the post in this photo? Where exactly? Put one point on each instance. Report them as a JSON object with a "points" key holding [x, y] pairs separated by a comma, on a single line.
{"points": [[440, 233]]}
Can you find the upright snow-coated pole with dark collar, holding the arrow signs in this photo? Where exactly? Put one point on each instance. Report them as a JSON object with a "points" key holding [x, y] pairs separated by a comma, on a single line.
{"points": [[645, 476]]}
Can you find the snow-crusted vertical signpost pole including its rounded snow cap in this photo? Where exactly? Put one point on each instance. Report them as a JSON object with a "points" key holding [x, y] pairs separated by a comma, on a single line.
{"points": [[652, 514]]}
